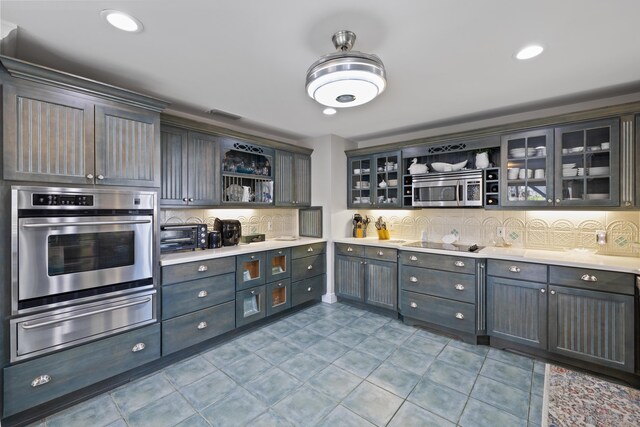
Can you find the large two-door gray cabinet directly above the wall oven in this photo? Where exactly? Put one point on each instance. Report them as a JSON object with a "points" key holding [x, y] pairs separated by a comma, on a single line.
{"points": [[57, 135]]}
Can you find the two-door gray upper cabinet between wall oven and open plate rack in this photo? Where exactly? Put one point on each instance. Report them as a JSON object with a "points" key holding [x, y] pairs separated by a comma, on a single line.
{"points": [[190, 168]]}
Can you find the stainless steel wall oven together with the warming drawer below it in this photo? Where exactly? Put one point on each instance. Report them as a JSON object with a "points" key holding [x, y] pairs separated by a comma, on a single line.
{"points": [[82, 265]]}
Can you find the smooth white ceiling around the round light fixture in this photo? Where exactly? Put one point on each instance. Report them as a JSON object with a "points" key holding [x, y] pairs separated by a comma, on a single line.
{"points": [[445, 60]]}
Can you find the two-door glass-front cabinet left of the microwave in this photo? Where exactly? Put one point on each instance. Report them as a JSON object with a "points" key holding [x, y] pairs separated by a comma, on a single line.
{"points": [[375, 181]]}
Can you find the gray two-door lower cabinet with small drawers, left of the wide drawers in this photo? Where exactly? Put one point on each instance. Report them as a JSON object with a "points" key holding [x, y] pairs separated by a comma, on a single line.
{"points": [[368, 275]]}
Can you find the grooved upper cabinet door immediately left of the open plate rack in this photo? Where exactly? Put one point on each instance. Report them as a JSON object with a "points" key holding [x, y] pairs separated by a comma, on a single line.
{"points": [[204, 187]]}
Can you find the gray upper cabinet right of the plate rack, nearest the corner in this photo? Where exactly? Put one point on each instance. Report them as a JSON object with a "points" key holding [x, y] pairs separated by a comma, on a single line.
{"points": [[292, 179]]}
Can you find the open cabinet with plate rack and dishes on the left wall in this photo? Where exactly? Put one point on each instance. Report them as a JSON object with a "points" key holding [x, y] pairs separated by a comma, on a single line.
{"points": [[247, 173]]}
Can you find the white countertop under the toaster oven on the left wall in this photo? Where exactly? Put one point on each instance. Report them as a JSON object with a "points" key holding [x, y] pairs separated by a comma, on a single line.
{"points": [[199, 255]]}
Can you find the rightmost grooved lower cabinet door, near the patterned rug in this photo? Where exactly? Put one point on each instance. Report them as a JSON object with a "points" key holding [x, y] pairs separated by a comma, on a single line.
{"points": [[592, 326]]}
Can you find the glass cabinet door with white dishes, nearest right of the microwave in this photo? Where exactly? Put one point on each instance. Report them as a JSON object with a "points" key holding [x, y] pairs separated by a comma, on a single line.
{"points": [[526, 179]]}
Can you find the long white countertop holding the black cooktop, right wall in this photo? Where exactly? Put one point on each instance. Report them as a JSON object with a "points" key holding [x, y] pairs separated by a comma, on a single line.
{"points": [[563, 258]]}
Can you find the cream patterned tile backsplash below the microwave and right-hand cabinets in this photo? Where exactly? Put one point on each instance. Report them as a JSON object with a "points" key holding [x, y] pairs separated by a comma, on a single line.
{"points": [[555, 230]]}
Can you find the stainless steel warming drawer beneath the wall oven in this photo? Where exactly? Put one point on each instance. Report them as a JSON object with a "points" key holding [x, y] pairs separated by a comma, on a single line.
{"points": [[46, 332]]}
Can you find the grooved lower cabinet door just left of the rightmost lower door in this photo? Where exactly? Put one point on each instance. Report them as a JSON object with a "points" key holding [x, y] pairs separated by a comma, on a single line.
{"points": [[517, 311]]}
